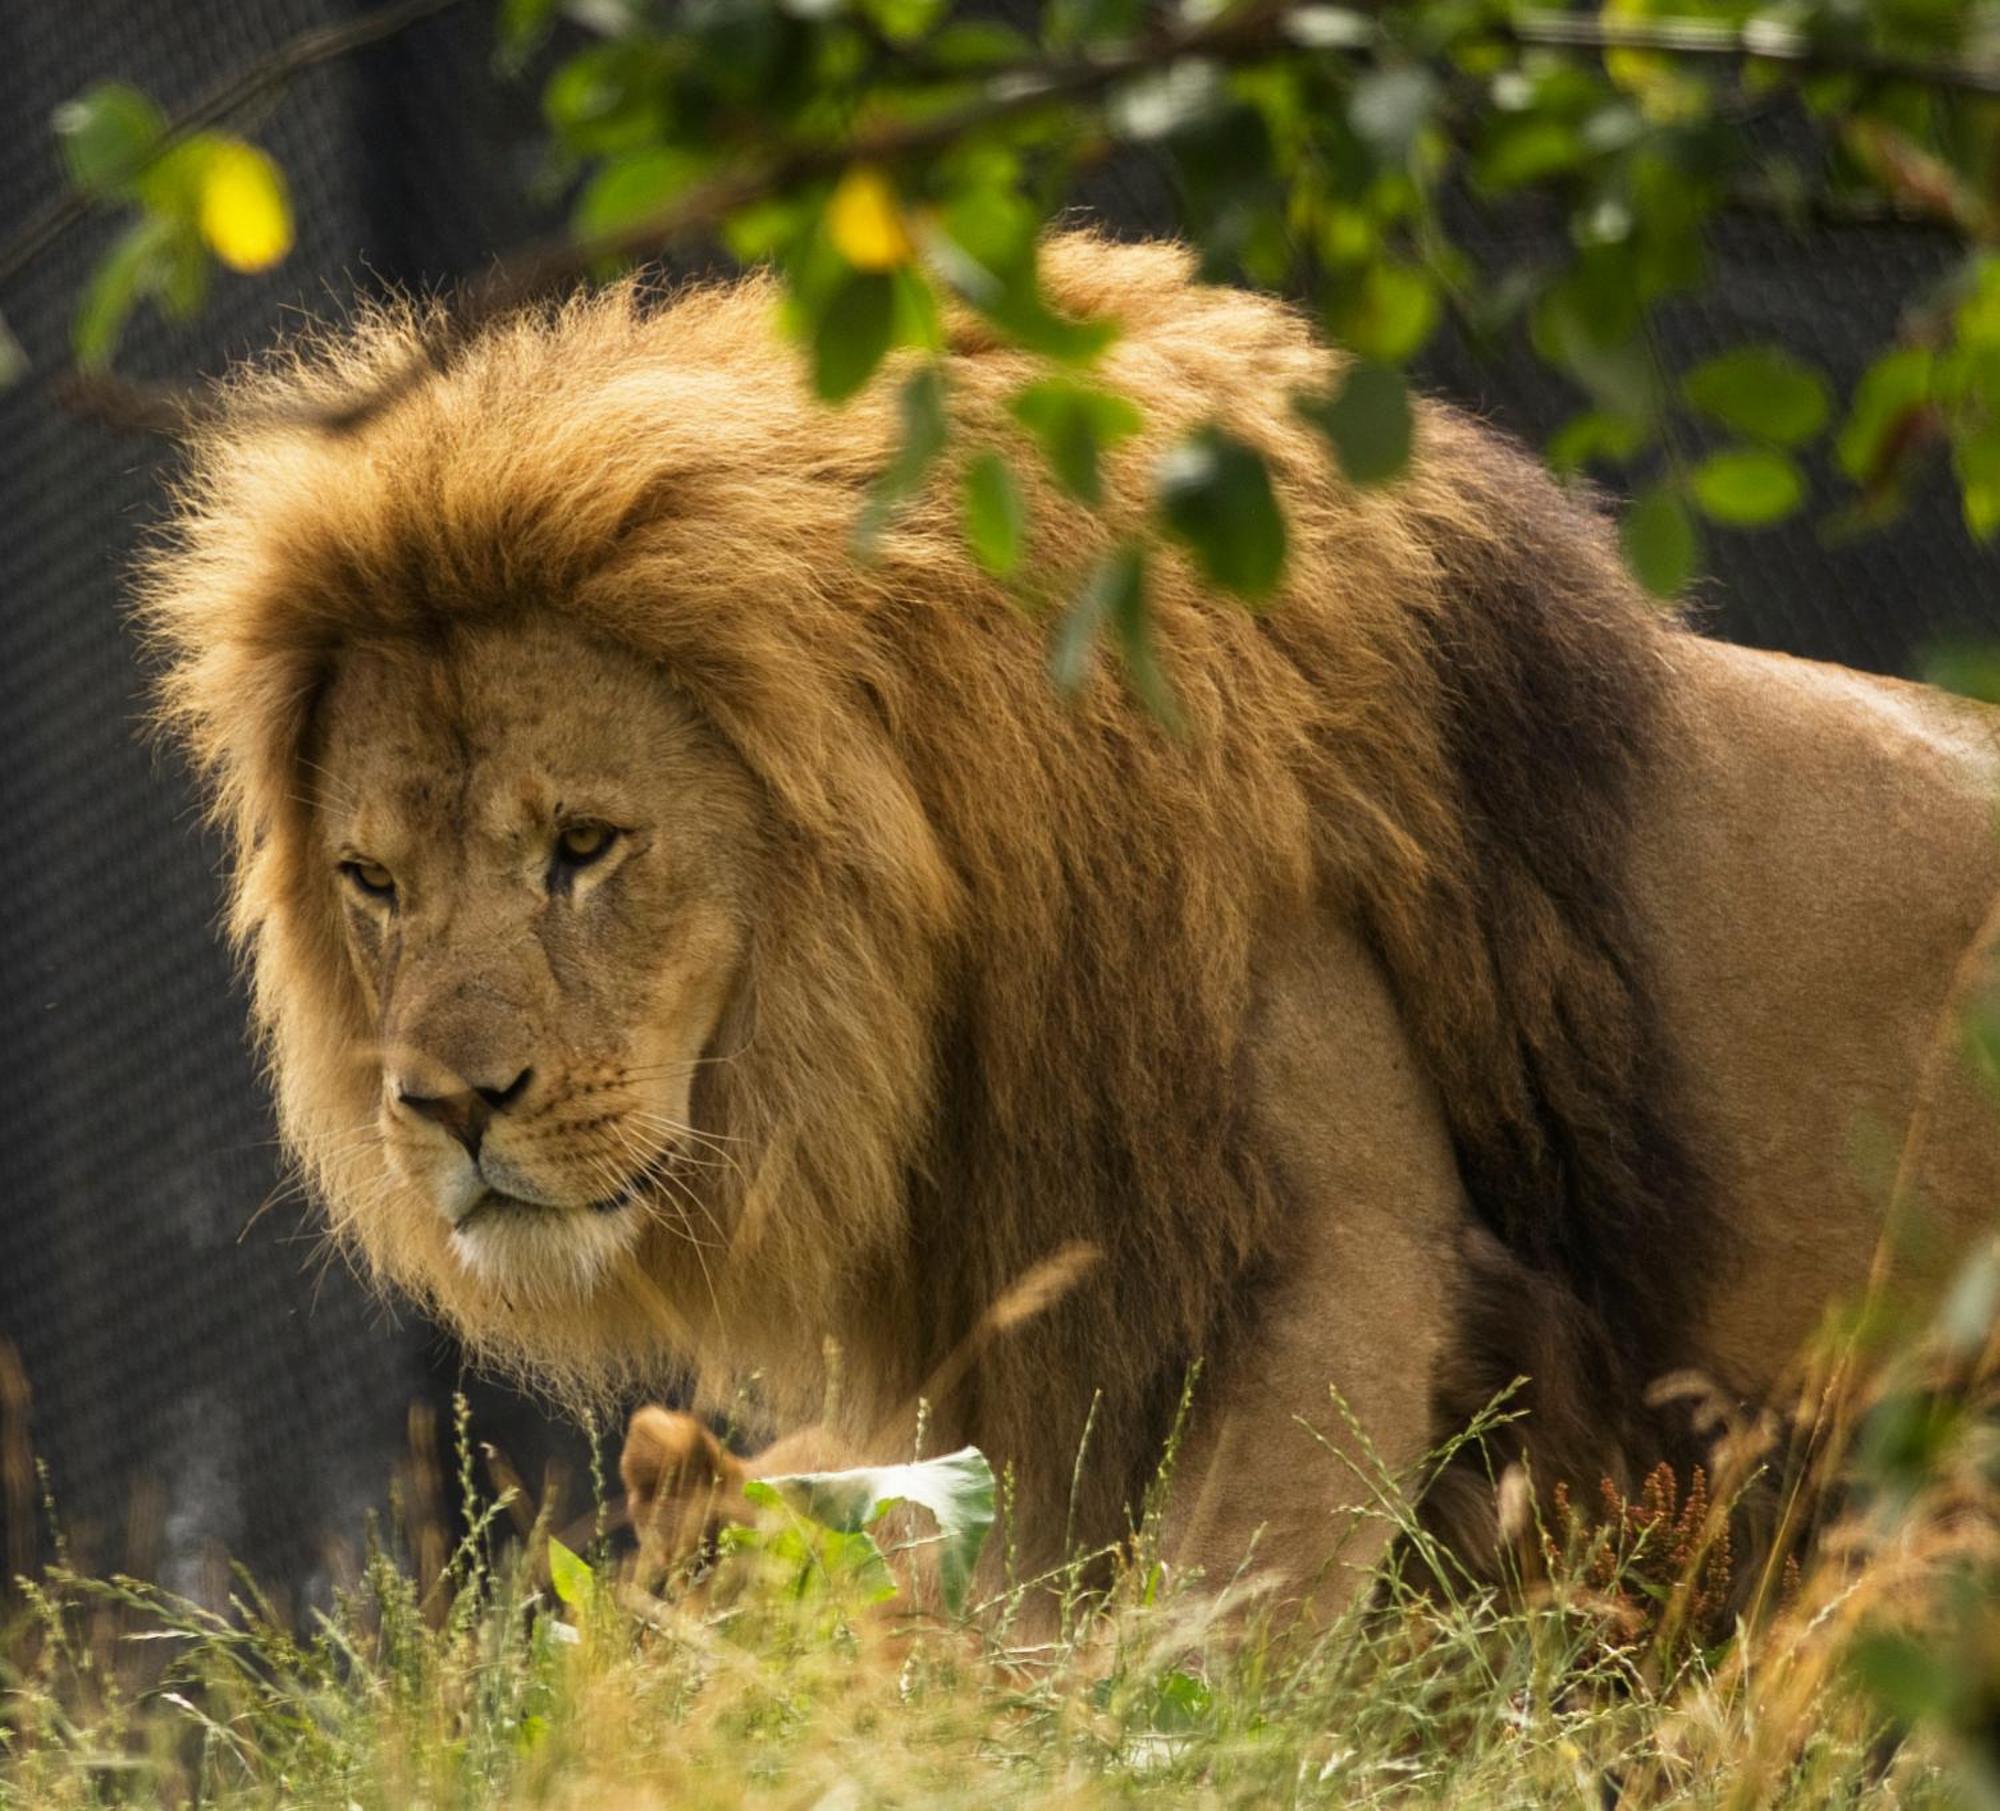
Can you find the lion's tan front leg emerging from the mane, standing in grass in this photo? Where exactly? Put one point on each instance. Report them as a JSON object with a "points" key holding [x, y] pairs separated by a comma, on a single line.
{"points": [[1315, 1428]]}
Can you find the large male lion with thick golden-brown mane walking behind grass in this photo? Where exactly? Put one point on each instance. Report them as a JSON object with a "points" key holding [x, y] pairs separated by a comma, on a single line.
{"points": [[683, 944]]}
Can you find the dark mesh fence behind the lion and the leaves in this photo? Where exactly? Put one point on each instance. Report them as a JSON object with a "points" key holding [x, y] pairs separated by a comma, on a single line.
{"points": [[199, 1378]]}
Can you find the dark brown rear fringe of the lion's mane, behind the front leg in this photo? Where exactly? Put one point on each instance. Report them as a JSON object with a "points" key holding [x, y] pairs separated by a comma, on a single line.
{"points": [[1571, 1124]]}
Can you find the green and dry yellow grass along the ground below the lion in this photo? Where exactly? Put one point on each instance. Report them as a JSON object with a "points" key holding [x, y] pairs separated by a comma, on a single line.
{"points": [[1629, 1664]]}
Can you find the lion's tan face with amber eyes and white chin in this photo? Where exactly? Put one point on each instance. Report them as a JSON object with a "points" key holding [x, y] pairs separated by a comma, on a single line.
{"points": [[545, 871]]}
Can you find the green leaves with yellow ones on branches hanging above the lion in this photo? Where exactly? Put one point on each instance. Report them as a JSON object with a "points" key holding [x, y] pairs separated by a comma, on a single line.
{"points": [[901, 157]]}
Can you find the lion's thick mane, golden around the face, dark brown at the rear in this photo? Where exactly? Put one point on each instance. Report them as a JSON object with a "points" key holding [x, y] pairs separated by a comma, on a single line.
{"points": [[1009, 980]]}
